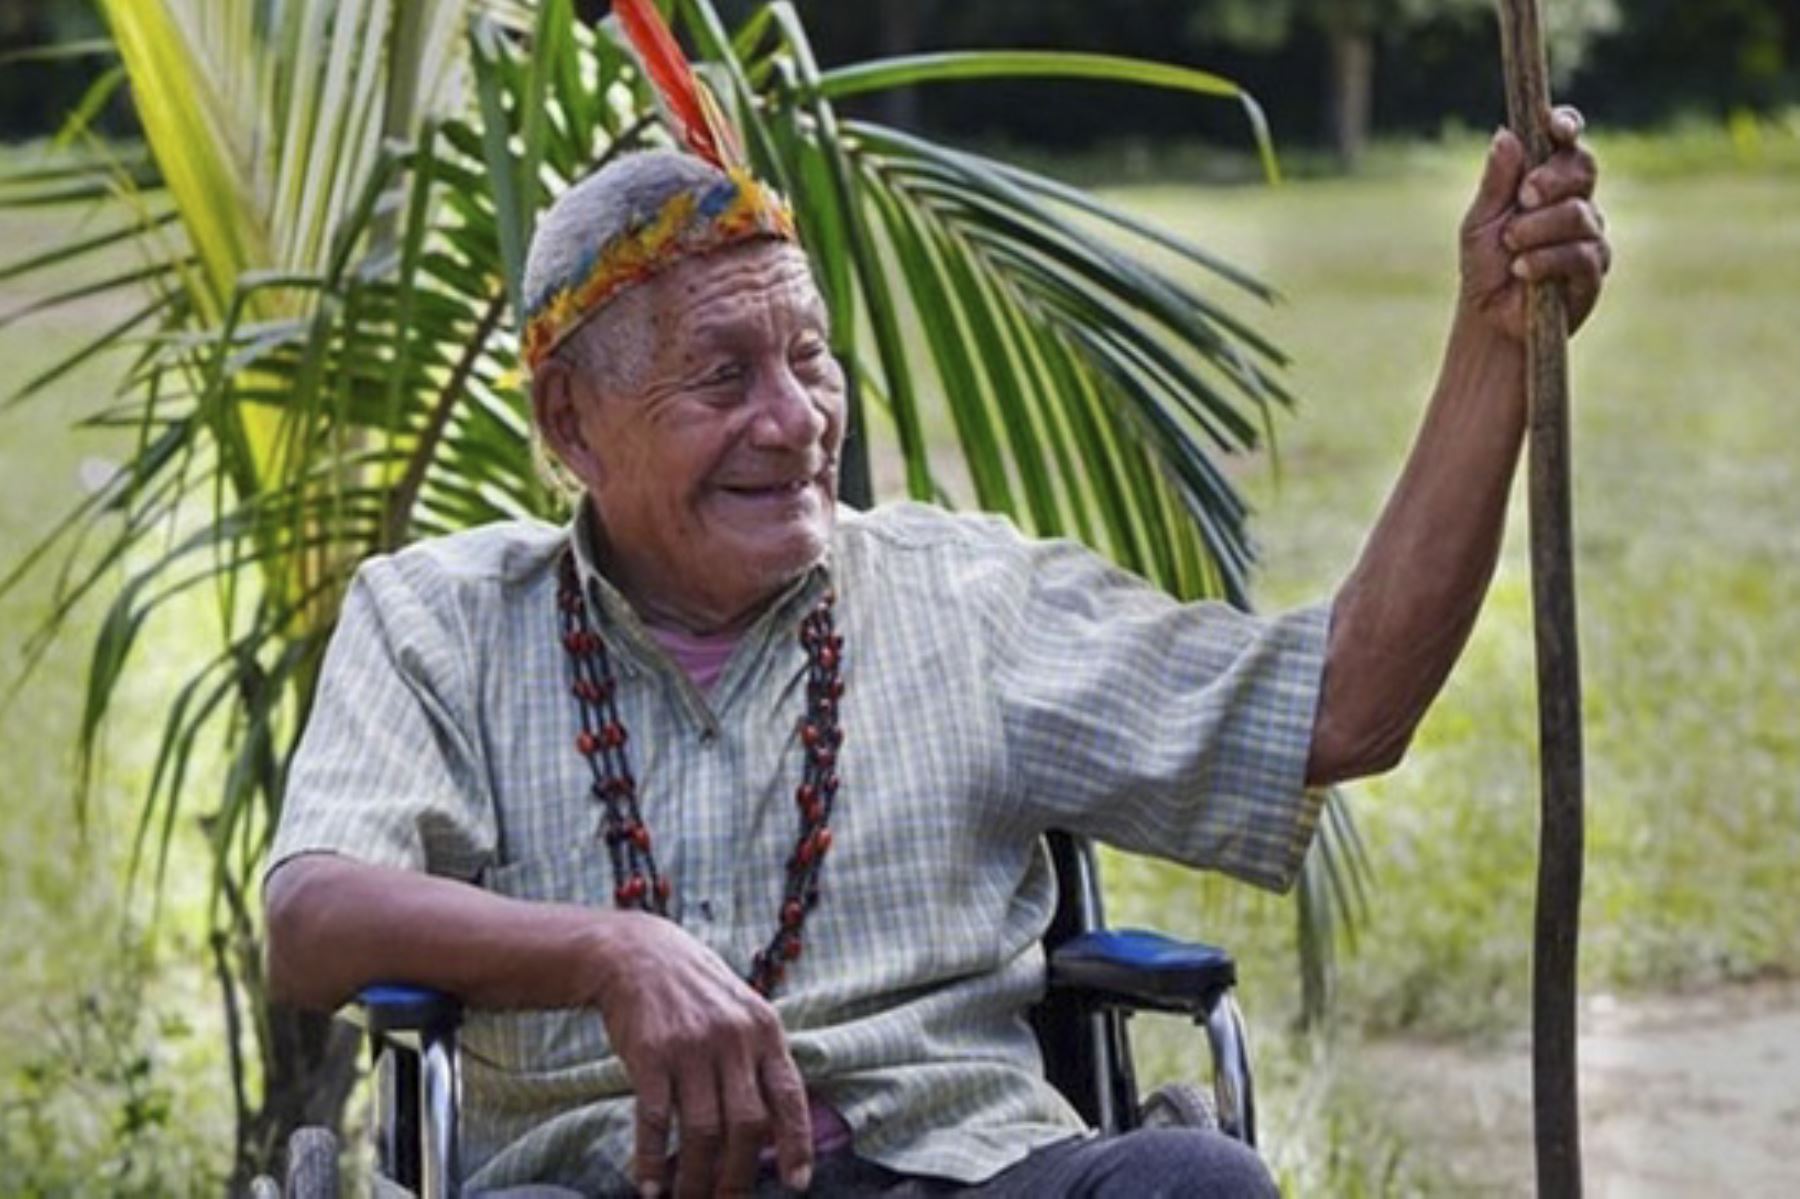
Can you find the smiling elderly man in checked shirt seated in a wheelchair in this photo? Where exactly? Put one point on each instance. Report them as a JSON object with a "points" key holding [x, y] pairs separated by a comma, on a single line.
{"points": [[723, 806]]}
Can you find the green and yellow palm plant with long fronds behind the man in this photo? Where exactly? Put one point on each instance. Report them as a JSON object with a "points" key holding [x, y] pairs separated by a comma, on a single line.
{"points": [[330, 228]]}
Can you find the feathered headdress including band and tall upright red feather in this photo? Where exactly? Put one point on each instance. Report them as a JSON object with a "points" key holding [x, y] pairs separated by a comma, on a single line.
{"points": [[692, 222]]}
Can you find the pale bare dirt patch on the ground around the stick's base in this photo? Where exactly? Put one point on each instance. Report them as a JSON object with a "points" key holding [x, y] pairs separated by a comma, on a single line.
{"points": [[1682, 1095]]}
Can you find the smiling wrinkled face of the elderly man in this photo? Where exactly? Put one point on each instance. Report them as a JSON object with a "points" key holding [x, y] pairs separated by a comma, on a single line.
{"points": [[717, 462]]}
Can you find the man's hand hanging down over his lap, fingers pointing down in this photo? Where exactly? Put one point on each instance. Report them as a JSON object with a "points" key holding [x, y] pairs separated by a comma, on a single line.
{"points": [[708, 1056]]}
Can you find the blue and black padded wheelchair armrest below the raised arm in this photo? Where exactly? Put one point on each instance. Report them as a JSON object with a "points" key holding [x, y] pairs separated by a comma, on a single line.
{"points": [[1142, 969]]}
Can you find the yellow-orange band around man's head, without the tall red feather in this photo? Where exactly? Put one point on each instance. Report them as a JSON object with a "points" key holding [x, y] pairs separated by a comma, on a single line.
{"points": [[690, 224]]}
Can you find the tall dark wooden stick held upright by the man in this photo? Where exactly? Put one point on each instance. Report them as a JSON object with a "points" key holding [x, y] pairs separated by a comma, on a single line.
{"points": [[1560, 838]]}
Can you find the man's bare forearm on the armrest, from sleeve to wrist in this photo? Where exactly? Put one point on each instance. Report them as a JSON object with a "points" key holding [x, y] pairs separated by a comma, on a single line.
{"points": [[337, 926]]}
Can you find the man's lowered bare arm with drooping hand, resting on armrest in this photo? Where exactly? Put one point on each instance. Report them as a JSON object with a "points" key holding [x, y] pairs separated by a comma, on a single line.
{"points": [[697, 1043]]}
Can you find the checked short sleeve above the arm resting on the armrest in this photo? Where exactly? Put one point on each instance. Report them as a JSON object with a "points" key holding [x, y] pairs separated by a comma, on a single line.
{"points": [[390, 768]]}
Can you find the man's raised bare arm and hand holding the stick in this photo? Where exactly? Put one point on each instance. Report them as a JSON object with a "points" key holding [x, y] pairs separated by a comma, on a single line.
{"points": [[1407, 609]]}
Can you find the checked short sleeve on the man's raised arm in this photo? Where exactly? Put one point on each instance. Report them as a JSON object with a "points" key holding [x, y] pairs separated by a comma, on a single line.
{"points": [[1162, 728]]}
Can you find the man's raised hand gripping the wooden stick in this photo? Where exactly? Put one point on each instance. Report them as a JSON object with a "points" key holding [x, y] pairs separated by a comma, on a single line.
{"points": [[1534, 226]]}
